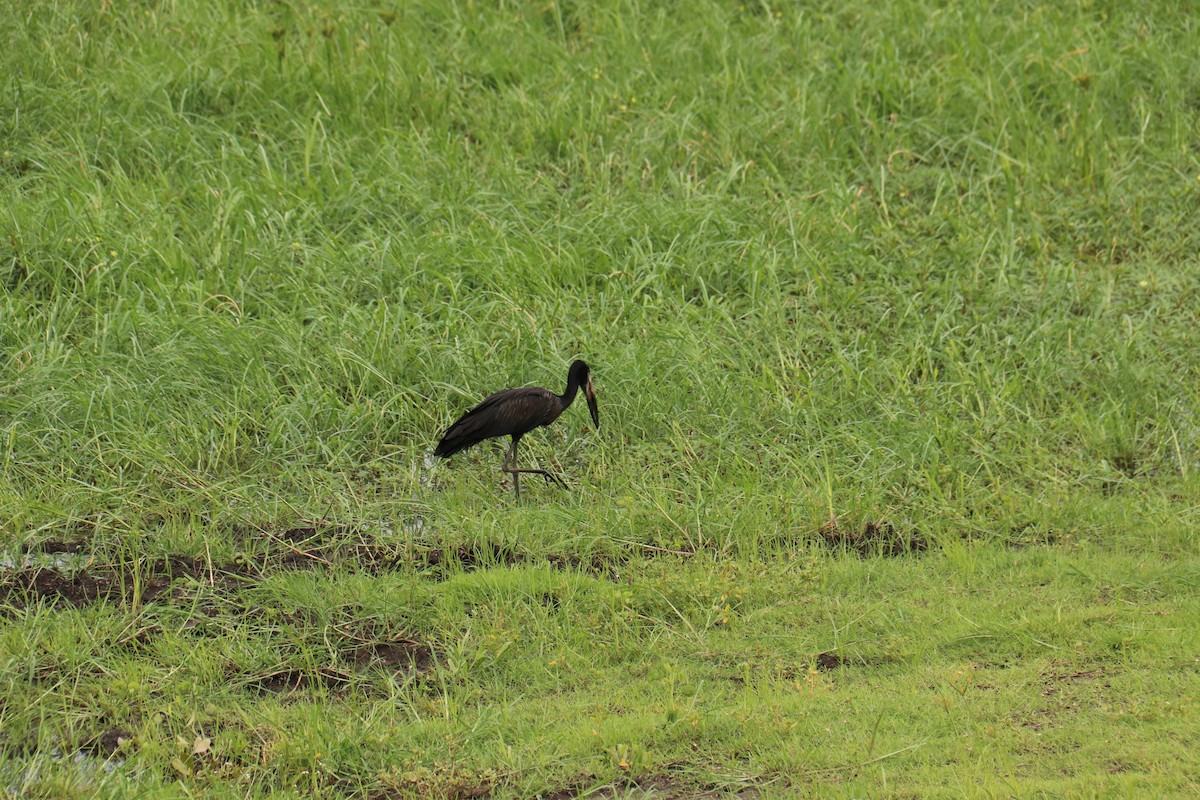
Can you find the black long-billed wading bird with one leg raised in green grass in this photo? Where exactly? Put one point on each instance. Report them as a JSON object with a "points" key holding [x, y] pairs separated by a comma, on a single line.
{"points": [[515, 413]]}
